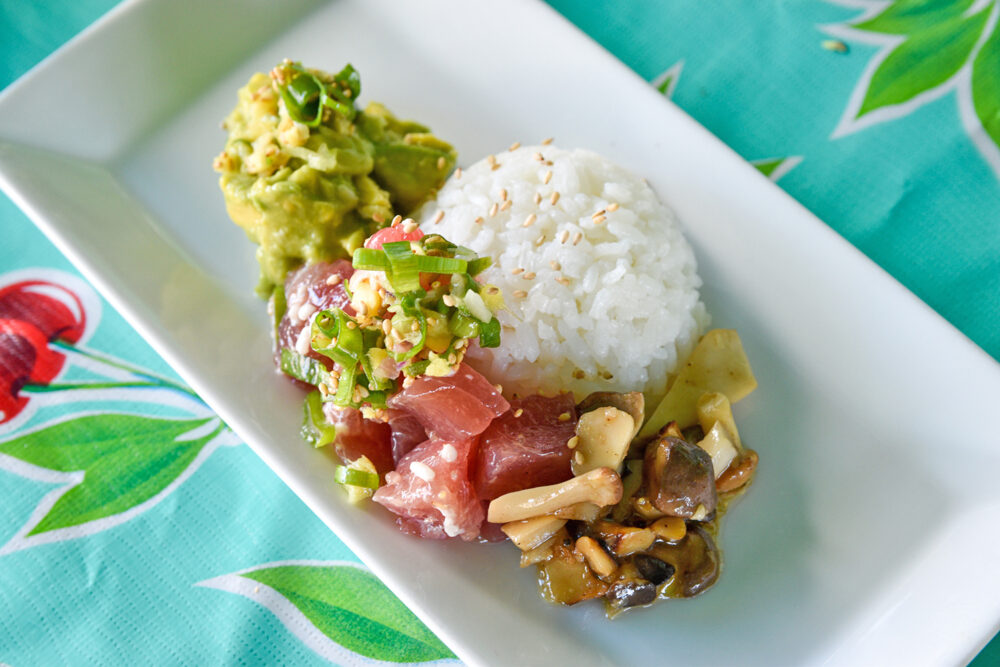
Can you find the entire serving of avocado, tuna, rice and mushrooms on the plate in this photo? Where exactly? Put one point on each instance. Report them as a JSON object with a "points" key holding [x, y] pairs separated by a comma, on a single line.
{"points": [[513, 352]]}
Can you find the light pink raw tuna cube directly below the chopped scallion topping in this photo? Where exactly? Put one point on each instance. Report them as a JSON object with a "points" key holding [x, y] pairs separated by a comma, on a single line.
{"points": [[452, 408]]}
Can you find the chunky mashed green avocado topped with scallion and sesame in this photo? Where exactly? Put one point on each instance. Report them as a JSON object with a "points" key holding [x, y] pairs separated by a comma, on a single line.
{"points": [[309, 176]]}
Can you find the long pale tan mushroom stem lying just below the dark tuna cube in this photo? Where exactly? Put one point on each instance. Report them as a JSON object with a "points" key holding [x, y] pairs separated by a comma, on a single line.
{"points": [[601, 487]]}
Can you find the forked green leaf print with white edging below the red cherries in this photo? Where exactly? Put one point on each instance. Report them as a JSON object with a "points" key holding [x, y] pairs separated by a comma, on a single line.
{"points": [[112, 466]]}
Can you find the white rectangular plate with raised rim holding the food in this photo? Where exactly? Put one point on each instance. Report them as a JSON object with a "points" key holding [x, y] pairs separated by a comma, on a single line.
{"points": [[870, 534]]}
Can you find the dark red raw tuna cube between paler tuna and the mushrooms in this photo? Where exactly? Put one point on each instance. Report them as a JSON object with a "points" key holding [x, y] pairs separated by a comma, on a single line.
{"points": [[526, 447]]}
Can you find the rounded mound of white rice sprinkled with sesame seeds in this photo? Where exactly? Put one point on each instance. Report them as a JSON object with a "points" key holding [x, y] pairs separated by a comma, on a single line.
{"points": [[593, 305]]}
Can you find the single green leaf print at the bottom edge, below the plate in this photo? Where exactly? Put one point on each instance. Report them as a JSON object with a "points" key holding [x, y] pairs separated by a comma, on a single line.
{"points": [[346, 610]]}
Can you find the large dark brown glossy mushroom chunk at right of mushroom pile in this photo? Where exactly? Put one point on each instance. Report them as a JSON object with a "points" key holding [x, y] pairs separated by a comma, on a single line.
{"points": [[679, 480]]}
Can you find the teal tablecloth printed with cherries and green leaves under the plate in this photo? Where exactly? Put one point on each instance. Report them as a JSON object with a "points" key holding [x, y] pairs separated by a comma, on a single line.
{"points": [[882, 118]]}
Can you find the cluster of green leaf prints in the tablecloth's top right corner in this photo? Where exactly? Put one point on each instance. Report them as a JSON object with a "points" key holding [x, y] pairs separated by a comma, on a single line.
{"points": [[928, 48]]}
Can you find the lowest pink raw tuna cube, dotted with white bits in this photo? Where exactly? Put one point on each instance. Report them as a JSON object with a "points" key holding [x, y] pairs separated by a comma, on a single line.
{"points": [[431, 492]]}
